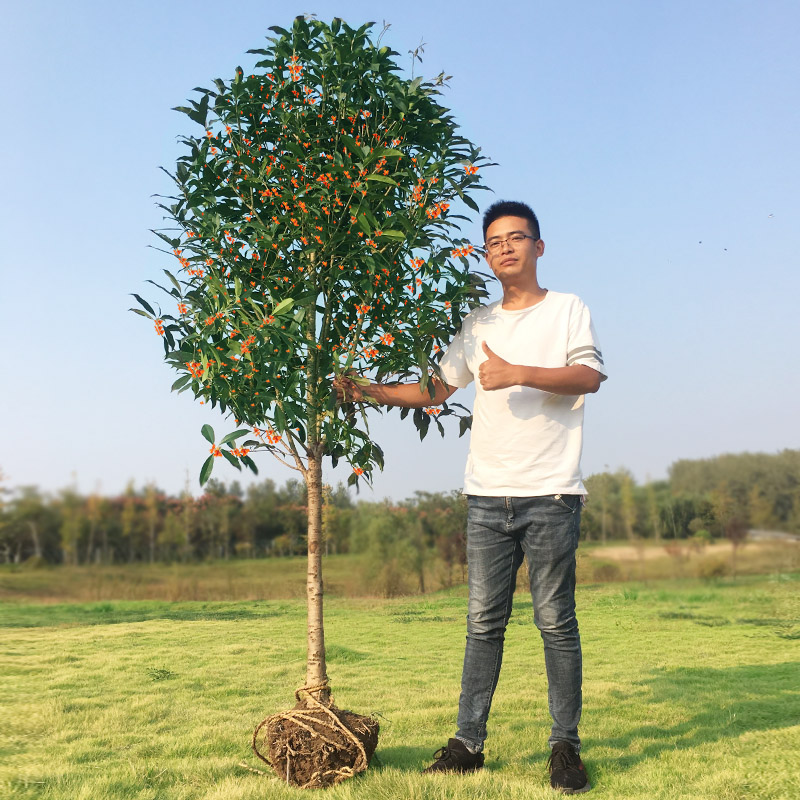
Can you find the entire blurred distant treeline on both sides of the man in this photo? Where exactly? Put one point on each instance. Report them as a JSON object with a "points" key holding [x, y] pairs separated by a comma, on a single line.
{"points": [[719, 497]]}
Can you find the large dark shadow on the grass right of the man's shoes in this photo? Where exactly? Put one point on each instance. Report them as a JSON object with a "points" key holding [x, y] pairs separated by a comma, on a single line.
{"points": [[710, 705]]}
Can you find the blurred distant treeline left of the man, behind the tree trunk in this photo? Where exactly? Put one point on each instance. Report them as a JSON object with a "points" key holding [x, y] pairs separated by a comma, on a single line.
{"points": [[148, 526]]}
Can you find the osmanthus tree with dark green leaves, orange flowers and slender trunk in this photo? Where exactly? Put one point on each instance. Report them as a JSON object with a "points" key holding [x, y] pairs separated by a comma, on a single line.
{"points": [[315, 230]]}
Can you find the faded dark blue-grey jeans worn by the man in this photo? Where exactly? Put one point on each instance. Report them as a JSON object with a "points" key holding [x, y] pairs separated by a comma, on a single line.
{"points": [[500, 532]]}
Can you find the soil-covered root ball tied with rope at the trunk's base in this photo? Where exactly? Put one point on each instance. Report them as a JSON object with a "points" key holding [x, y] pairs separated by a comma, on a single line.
{"points": [[314, 744]]}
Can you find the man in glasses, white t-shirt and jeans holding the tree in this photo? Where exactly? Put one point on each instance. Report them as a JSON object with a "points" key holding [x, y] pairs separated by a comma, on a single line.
{"points": [[535, 355]]}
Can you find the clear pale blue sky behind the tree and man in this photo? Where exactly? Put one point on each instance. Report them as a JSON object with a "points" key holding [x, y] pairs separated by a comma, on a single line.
{"points": [[657, 142]]}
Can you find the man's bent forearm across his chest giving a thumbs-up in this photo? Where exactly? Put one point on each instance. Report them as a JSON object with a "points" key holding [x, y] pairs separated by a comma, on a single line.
{"points": [[497, 373]]}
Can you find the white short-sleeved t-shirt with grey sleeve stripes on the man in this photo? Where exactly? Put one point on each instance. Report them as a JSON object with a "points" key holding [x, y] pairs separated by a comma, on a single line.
{"points": [[525, 442]]}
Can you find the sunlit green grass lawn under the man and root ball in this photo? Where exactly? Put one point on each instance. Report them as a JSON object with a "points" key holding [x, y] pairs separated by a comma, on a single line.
{"points": [[691, 690]]}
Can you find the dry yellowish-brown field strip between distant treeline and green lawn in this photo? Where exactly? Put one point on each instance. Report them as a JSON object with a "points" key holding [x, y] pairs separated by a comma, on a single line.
{"points": [[360, 576]]}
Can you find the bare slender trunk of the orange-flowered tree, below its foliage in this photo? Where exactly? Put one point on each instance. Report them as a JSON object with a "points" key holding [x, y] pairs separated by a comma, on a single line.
{"points": [[316, 674]]}
